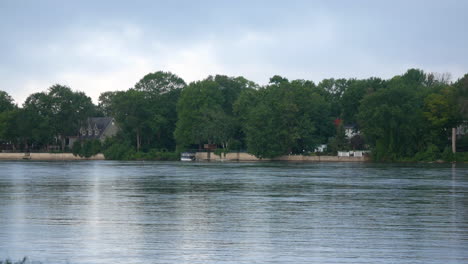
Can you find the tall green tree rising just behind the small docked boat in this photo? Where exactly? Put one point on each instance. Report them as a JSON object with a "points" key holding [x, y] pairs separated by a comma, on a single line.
{"points": [[206, 111]]}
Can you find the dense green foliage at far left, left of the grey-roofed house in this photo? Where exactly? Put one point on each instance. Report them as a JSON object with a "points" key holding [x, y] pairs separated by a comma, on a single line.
{"points": [[46, 118]]}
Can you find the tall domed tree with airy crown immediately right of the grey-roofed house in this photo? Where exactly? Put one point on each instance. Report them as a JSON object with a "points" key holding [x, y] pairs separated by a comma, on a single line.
{"points": [[147, 113]]}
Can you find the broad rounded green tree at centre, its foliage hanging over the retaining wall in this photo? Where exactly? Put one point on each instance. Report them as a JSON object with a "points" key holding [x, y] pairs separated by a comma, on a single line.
{"points": [[284, 117]]}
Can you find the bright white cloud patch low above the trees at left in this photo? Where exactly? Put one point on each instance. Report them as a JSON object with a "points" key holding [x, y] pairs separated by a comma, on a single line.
{"points": [[95, 60]]}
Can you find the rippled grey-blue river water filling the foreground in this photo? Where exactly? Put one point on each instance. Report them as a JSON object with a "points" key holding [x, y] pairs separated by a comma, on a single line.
{"points": [[172, 212]]}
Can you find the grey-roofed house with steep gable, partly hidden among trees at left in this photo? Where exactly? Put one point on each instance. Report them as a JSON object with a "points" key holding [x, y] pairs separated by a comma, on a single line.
{"points": [[96, 128]]}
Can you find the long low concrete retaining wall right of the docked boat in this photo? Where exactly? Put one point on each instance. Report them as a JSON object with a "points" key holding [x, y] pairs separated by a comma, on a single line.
{"points": [[203, 156]]}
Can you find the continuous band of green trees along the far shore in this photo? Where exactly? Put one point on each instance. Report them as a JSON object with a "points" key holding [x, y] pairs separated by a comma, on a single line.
{"points": [[408, 117]]}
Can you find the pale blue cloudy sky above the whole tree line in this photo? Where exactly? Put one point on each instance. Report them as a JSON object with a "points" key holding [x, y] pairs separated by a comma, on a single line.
{"points": [[98, 46]]}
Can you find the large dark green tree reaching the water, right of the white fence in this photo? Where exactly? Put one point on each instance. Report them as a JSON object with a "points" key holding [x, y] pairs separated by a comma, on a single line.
{"points": [[392, 118]]}
